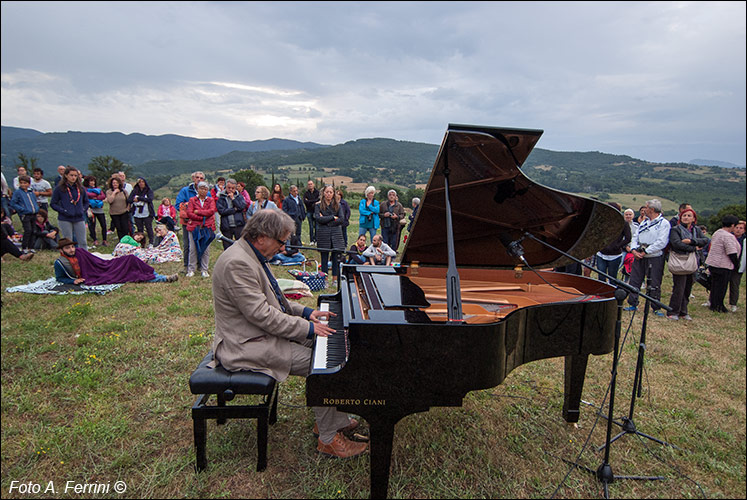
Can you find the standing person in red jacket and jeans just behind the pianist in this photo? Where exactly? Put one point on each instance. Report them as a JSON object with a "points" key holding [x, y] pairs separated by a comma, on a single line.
{"points": [[201, 228]]}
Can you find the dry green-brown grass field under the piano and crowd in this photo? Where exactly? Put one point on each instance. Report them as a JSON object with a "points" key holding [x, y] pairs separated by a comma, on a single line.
{"points": [[94, 390]]}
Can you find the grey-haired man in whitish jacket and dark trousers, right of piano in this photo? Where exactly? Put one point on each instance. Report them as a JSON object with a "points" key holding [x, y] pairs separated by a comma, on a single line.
{"points": [[648, 245]]}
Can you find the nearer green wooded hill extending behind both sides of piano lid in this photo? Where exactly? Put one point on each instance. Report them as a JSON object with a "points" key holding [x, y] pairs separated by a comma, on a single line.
{"points": [[408, 164]]}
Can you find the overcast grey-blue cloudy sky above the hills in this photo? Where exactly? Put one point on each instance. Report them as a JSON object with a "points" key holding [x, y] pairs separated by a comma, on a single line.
{"points": [[661, 81]]}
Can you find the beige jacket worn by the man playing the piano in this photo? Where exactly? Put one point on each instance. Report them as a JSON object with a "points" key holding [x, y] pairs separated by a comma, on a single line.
{"points": [[251, 330]]}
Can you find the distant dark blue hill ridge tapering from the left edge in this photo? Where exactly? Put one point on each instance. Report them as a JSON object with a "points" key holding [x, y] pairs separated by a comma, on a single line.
{"points": [[77, 148]]}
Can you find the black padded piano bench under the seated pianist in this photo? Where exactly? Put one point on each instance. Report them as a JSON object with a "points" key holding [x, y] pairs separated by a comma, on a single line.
{"points": [[218, 381]]}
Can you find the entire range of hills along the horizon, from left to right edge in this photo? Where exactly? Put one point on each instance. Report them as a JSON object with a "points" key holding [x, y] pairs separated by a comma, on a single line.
{"points": [[376, 161]]}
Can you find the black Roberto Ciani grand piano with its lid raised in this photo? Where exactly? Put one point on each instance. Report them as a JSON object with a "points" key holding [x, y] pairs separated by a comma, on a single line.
{"points": [[463, 309]]}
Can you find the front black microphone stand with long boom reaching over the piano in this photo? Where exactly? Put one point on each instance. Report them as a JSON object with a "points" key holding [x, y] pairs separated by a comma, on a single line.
{"points": [[604, 472]]}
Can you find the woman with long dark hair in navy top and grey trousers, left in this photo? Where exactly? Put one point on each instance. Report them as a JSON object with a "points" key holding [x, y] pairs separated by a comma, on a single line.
{"points": [[70, 201]]}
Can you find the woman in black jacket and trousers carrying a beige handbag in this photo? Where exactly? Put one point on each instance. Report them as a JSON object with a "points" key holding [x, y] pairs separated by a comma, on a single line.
{"points": [[684, 238]]}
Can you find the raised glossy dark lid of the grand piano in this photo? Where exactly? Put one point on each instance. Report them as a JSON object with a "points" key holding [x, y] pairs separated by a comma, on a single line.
{"points": [[492, 199]]}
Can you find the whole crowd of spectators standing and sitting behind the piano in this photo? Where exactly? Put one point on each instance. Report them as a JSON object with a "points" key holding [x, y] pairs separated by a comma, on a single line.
{"points": [[648, 246]]}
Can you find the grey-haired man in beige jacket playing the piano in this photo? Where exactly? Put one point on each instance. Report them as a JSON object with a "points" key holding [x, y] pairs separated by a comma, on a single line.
{"points": [[257, 328]]}
